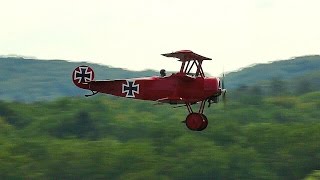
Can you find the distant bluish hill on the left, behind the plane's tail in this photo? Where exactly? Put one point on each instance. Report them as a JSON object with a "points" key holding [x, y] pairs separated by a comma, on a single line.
{"points": [[27, 80]]}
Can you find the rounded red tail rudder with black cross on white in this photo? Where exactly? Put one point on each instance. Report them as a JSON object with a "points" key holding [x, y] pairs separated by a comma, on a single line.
{"points": [[82, 75]]}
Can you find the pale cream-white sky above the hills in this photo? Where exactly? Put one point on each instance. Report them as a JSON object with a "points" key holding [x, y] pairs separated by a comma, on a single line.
{"points": [[132, 34]]}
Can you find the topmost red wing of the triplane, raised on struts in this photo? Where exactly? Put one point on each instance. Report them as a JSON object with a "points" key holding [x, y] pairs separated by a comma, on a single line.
{"points": [[186, 55]]}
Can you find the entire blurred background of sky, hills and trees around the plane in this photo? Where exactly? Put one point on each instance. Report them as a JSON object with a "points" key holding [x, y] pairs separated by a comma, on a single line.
{"points": [[269, 127]]}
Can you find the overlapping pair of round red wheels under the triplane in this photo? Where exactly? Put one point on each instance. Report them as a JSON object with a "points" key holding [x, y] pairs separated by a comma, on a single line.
{"points": [[196, 122]]}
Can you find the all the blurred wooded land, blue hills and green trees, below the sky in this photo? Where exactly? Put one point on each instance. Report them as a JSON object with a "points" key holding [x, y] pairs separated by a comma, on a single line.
{"points": [[268, 129]]}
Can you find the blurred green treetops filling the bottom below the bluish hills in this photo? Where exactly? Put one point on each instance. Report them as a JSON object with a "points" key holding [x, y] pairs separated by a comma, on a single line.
{"points": [[252, 137]]}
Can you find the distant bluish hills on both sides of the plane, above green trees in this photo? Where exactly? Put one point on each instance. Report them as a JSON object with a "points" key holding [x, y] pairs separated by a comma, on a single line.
{"points": [[28, 80]]}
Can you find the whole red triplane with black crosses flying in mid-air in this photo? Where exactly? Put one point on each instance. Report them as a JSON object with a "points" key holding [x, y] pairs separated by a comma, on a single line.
{"points": [[188, 86]]}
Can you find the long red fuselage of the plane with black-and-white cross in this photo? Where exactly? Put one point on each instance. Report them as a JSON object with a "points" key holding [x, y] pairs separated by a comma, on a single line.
{"points": [[171, 89]]}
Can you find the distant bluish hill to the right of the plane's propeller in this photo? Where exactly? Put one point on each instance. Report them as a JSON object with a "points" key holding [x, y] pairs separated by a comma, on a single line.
{"points": [[304, 68]]}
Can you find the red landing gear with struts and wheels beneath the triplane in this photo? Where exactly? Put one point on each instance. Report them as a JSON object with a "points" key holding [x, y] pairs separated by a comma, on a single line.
{"points": [[196, 121]]}
